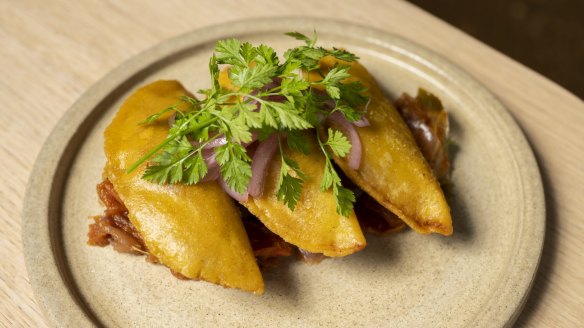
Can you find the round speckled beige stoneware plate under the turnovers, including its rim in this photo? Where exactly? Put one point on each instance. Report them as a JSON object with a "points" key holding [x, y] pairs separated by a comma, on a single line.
{"points": [[480, 276]]}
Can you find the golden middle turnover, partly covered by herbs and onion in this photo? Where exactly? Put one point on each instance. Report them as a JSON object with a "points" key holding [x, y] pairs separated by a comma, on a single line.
{"points": [[314, 225]]}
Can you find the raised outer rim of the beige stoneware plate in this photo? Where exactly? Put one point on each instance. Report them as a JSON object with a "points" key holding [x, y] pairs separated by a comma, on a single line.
{"points": [[49, 174]]}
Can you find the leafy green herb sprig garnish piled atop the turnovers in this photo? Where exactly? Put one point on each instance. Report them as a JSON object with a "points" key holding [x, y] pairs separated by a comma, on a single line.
{"points": [[268, 96]]}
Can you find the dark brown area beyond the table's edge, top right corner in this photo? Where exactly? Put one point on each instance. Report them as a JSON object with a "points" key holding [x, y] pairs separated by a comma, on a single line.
{"points": [[545, 35]]}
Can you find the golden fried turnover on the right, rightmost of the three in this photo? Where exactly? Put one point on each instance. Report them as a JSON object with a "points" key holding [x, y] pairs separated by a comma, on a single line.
{"points": [[392, 170]]}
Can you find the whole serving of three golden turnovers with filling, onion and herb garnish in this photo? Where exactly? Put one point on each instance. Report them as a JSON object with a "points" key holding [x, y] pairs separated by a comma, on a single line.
{"points": [[218, 185]]}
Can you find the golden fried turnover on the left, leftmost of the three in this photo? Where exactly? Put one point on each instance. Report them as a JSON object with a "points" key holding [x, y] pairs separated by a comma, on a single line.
{"points": [[194, 230]]}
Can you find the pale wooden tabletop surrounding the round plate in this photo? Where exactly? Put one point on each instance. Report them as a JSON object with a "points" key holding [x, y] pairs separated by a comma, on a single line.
{"points": [[52, 51]]}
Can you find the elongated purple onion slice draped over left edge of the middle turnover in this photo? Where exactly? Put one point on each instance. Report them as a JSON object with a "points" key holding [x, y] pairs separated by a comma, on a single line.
{"points": [[259, 163]]}
